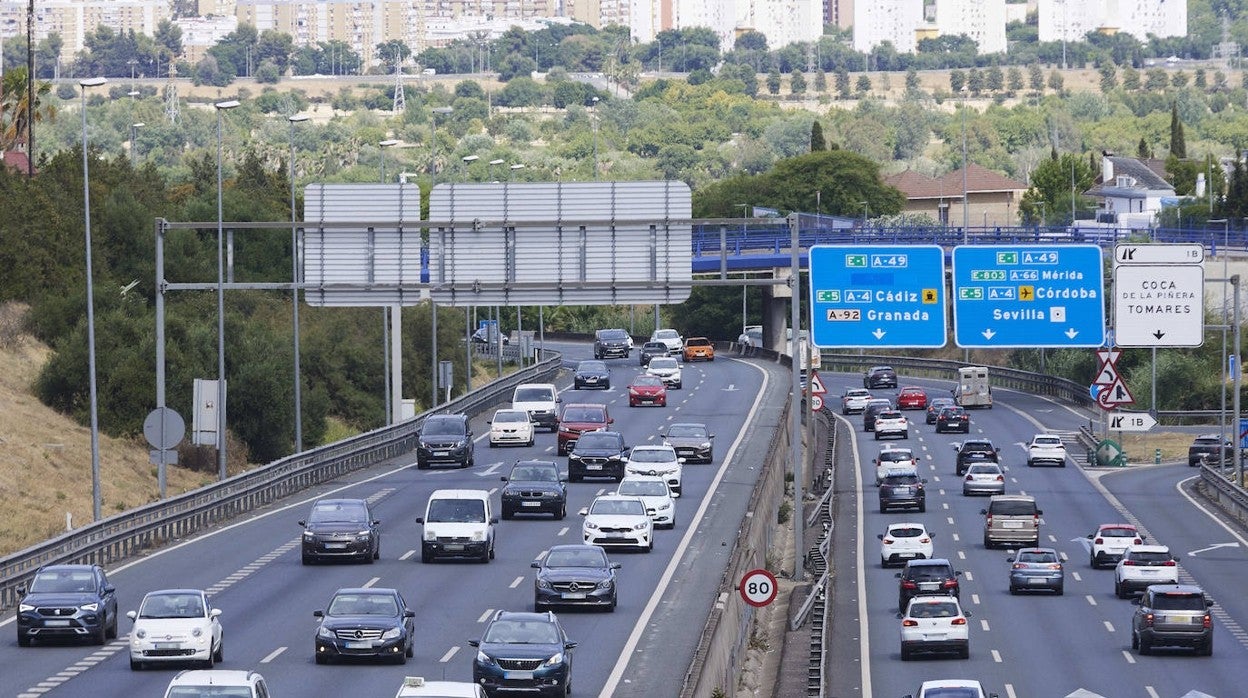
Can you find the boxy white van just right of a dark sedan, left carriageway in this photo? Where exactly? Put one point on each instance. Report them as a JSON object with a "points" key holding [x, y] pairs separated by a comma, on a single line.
{"points": [[459, 524]]}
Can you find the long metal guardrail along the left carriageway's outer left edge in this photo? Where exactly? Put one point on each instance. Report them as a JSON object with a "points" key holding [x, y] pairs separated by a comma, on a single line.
{"points": [[150, 526]]}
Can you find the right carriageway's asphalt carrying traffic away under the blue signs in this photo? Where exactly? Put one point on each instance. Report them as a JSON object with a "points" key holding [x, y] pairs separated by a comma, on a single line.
{"points": [[1026, 646]]}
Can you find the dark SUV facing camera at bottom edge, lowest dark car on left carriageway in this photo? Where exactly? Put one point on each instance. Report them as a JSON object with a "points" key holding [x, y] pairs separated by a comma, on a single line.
{"points": [[524, 652]]}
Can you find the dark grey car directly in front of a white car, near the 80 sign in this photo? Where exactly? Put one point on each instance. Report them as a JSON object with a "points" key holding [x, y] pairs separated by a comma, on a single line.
{"points": [[575, 576]]}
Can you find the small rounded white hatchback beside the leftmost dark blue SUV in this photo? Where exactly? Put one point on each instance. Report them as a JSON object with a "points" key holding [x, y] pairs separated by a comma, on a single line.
{"points": [[175, 626]]}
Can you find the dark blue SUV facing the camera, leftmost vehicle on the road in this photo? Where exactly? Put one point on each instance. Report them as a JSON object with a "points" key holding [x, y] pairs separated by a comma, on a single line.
{"points": [[68, 601]]}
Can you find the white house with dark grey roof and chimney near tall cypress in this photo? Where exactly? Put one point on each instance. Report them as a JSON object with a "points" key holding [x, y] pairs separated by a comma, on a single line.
{"points": [[1130, 190]]}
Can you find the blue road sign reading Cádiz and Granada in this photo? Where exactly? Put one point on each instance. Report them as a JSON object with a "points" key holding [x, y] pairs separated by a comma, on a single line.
{"points": [[878, 297]]}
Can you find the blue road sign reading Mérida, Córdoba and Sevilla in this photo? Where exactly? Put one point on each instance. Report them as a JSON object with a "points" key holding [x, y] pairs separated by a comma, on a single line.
{"points": [[1009, 297]]}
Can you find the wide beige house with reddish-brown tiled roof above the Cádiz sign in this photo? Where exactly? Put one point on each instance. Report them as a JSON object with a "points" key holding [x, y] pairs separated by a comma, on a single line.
{"points": [[992, 198]]}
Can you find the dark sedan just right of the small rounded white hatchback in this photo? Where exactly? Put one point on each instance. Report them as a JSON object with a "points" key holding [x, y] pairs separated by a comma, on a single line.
{"points": [[373, 624]]}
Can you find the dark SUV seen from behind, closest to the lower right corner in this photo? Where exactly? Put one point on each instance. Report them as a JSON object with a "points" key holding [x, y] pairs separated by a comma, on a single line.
{"points": [[1172, 615]]}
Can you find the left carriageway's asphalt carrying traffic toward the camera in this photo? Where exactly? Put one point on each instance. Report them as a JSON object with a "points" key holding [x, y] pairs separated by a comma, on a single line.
{"points": [[253, 568]]}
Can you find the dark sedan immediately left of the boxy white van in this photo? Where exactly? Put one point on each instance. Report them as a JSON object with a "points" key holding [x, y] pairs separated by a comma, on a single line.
{"points": [[341, 530]]}
